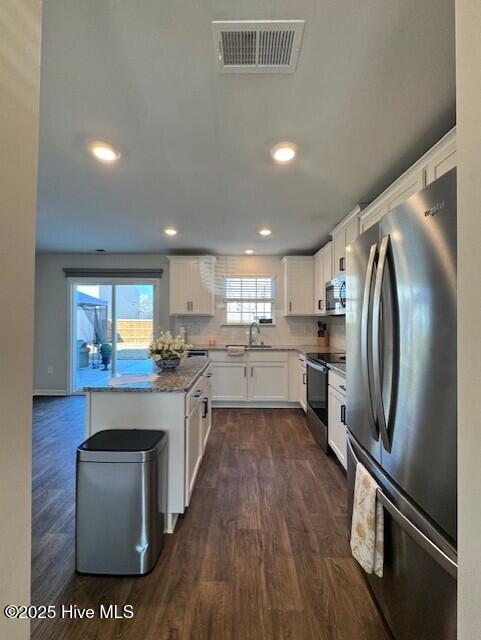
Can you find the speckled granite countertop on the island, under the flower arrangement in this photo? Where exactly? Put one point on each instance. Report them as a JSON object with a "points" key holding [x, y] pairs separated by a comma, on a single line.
{"points": [[178, 380]]}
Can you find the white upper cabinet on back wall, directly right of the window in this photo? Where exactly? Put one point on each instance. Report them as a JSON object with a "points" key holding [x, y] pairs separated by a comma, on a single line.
{"points": [[298, 285]]}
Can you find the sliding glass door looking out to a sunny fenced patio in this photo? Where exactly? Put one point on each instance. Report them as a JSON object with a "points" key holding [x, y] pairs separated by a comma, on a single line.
{"points": [[112, 326]]}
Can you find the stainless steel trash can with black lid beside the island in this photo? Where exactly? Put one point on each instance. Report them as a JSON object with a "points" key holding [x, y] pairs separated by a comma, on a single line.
{"points": [[121, 501]]}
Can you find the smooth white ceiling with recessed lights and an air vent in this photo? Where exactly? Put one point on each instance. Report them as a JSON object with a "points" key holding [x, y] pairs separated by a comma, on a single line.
{"points": [[374, 88]]}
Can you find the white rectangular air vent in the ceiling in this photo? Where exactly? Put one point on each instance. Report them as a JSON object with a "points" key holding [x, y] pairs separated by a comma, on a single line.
{"points": [[257, 46]]}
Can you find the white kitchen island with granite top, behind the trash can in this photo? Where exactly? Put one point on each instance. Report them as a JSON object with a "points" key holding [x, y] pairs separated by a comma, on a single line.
{"points": [[177, 402]]}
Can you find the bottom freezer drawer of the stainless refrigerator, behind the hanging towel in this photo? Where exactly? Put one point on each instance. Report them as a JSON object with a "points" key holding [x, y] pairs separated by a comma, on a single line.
{"points": [[417, 593]]}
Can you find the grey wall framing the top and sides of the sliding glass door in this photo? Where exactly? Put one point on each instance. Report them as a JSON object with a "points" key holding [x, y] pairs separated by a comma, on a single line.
{"points": [[51, 307]]}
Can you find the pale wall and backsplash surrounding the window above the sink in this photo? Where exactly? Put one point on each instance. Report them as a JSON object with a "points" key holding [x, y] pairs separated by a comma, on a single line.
{"points": [[286, 330]]}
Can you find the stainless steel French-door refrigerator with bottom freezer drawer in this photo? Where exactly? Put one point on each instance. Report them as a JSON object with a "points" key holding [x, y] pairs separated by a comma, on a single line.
{"points": [[401, 402]]}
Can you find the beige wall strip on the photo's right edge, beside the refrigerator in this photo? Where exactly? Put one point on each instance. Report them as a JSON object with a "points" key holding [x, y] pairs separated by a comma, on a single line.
{"points": [[468, 30]]}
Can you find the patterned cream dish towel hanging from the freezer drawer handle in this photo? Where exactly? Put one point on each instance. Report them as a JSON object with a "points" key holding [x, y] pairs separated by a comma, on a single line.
{"points": [[367, 531]]}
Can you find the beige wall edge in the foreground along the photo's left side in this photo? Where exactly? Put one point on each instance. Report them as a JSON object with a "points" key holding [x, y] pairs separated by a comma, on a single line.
{"points": [[20, 28]]}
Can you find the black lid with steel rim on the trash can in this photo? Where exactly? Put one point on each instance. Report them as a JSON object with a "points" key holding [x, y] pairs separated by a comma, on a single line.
{"points": [[122, 445]]}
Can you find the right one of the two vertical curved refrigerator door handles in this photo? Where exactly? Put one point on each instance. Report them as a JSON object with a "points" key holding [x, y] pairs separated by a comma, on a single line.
{"points": [[376, 347]]}
